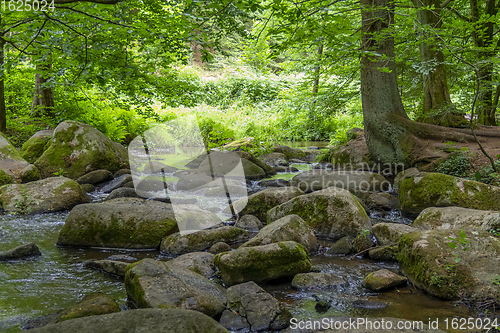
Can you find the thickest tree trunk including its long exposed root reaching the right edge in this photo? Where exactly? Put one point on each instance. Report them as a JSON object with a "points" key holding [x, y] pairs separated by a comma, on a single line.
{"points": [[391, 137]]}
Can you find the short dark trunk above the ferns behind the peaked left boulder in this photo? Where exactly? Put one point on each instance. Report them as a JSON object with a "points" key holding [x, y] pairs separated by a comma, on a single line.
{"points": [[43, 99]]}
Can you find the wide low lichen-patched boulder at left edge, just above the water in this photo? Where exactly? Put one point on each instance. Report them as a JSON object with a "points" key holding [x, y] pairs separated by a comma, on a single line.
{"points": [[46, 195]]}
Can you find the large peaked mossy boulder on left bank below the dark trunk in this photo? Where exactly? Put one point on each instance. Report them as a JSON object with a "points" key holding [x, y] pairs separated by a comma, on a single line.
{"points": [[77, 149]]}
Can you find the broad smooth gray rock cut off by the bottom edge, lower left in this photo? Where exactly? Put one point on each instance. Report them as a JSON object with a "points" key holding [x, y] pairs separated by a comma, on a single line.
{"points": [[139, 321]]}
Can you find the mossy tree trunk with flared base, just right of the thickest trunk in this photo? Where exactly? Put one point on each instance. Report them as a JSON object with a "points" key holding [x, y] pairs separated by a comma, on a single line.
{"points": [[437, 107]]}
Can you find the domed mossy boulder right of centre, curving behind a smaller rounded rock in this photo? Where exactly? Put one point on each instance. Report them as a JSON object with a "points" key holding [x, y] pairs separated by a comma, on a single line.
{"points": [[332, 213]]}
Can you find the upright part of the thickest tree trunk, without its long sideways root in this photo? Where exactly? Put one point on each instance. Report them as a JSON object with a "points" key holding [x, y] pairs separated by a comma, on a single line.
{"points": [[379, 90]]}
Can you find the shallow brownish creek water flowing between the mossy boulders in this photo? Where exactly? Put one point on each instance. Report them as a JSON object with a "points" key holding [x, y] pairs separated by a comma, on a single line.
{"points": [[57, 279]]}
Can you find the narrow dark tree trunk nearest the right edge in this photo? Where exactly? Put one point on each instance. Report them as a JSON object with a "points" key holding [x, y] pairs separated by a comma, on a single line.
{"points": [[483, 39]]}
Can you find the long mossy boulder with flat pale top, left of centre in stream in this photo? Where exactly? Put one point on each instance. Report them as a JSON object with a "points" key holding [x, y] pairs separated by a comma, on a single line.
{"points": [[120, 223]]}
